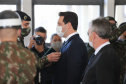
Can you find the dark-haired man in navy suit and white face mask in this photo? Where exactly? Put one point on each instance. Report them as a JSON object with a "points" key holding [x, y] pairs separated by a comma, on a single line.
{"points": [[69, 69]]}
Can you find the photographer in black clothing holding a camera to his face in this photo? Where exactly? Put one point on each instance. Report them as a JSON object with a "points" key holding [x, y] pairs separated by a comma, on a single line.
{"points": [[37, 45]]}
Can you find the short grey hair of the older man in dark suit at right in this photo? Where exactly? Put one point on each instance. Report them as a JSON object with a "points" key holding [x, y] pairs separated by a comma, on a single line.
{"points": [[102, 27]]}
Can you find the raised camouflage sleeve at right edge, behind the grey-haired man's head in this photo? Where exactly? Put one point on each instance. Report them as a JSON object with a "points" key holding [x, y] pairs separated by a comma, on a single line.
{"points": [[116, 33]]}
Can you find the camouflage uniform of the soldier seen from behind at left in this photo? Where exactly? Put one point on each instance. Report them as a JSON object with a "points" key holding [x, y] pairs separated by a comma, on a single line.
{"points": [[17, 64]]}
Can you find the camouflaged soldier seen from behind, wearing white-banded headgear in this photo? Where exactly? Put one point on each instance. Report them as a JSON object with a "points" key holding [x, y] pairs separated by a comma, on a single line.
{"points": [[17, 64]]}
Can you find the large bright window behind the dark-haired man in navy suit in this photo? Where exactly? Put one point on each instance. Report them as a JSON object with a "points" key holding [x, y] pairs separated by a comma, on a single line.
{"points": [[47, 17]]}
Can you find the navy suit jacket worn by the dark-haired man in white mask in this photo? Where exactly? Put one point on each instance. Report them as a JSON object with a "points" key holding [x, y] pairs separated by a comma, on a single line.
{"points": [[72, 63]]}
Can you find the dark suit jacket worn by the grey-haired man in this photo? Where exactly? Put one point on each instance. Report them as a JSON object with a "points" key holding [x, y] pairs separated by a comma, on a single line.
{"points": [[104, 68]]}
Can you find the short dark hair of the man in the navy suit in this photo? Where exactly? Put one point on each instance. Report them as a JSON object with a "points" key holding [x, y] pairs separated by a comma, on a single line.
{"points": [[70, 17]]}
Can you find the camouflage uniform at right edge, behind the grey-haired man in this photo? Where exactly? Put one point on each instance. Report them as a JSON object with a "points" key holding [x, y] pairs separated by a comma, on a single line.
{"points": [[120, 48]]}
